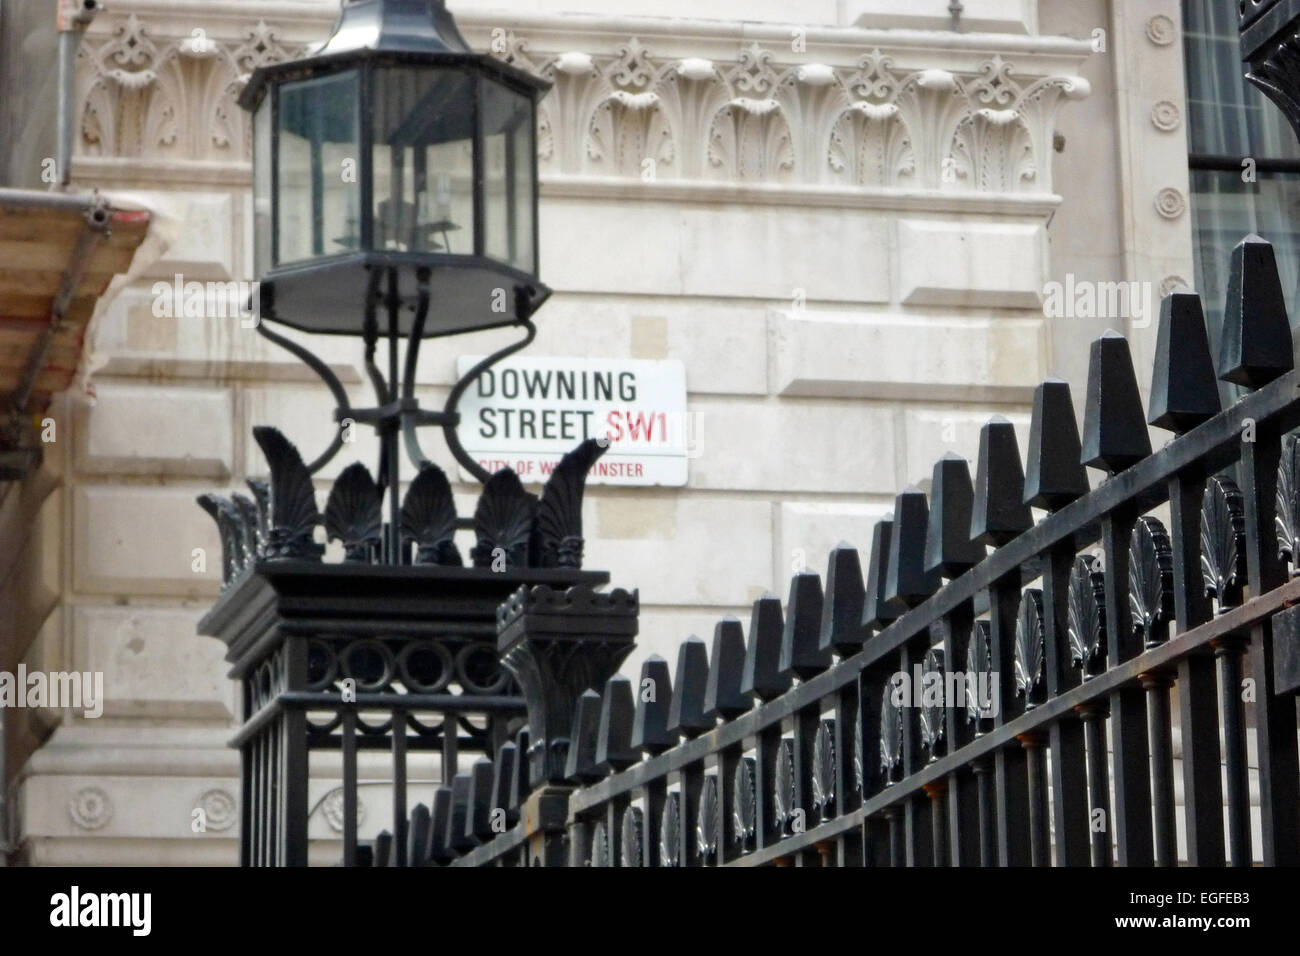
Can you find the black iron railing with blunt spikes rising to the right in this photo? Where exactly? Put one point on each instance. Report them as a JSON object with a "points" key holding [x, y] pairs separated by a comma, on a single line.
{"points": [[1069, 655]]}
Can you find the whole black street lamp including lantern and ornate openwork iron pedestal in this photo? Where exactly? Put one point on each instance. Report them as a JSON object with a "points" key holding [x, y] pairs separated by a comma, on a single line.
{"points": [[396, 197]]}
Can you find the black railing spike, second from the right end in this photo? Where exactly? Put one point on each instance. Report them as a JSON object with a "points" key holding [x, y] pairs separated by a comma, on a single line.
{"points": [[1184, 392]]}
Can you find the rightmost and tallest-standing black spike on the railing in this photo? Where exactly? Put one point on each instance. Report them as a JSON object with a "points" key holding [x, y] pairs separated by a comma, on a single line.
{"points": [[1255, 347]]}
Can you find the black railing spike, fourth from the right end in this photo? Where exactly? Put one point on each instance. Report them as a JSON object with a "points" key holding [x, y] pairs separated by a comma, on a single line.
{"points": [[1054, 470]]}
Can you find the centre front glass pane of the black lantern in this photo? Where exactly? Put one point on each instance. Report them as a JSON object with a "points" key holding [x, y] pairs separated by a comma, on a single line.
{"points": [[424, 161]]}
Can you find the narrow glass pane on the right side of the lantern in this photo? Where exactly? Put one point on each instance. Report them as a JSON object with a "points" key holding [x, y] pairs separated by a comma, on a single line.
{"points": [[509, 159]]}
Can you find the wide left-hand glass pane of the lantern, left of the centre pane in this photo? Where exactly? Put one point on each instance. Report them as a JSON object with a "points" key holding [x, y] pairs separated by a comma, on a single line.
{"points": [[319, 210]]}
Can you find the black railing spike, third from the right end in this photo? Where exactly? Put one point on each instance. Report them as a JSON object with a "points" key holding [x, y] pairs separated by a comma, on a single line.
{"points": [[1115, 427]]}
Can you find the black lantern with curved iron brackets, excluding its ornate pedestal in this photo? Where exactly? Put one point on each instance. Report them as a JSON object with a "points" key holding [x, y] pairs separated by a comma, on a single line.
{"points": [[396, 196]]}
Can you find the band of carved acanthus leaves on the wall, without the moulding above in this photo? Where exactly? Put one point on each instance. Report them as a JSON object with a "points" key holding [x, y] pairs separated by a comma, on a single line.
{"points": [[630, 111]]}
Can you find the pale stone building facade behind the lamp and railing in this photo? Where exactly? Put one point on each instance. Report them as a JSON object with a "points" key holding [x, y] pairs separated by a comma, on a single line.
{"points": [[840, 215]]}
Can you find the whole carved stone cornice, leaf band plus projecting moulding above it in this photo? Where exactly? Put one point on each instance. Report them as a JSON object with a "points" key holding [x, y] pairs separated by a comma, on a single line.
{"points": [[640, 100]]}
